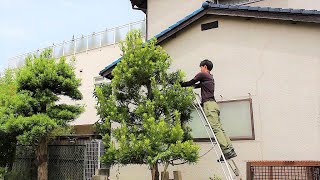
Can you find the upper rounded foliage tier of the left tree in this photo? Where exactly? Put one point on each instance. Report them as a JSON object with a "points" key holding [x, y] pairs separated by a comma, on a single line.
{"points": [[46, 79]]}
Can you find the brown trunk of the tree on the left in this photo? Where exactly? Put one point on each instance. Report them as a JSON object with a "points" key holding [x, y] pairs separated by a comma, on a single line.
{"points": [[42, 159]]}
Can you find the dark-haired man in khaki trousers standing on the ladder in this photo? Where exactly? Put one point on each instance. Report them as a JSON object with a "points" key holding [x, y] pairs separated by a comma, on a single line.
{"points": [[211, 108]]}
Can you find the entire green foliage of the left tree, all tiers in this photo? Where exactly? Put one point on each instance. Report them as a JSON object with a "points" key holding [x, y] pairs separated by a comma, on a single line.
{"points": [[33, 113]]}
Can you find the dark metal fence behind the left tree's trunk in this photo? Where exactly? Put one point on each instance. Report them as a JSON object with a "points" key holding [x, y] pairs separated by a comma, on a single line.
{"points": [[67, 162]]}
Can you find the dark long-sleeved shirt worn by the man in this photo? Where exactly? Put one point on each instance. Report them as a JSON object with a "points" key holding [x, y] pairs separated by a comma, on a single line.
{"points": [[206, 83]]}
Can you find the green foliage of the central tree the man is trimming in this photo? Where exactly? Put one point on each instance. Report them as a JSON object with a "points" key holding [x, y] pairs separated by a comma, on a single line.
{"points": [[150, 106]]}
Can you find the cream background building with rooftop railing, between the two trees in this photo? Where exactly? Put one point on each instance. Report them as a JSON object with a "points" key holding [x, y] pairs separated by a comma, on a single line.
{"points": [[90, 52]]}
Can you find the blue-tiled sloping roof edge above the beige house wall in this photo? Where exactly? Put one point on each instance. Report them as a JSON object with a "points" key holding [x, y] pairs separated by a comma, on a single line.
{"points": [[209, 8]]}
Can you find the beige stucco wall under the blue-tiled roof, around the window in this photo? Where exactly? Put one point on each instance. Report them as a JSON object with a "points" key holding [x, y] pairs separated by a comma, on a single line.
{"points": [[278, 64]]}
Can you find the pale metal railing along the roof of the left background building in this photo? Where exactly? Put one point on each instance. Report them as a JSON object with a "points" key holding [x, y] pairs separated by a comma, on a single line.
{"points": [[85, 43]]}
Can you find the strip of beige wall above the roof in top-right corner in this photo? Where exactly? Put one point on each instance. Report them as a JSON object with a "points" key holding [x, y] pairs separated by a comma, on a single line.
{"points": [[295, 4]]}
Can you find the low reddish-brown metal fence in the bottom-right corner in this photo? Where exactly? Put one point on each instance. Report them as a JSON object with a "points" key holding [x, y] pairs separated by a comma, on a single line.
{"points": [[283, 170]]}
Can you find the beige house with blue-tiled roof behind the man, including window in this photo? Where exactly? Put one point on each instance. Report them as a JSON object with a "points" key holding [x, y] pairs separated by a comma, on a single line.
{"points": [[267, 73]]}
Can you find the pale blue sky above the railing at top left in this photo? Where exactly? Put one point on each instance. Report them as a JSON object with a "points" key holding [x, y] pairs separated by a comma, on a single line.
{"points": [[28, 25]]}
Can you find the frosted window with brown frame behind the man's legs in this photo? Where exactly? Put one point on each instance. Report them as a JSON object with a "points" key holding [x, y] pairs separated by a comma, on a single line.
{"points": [[236, 118]]}
